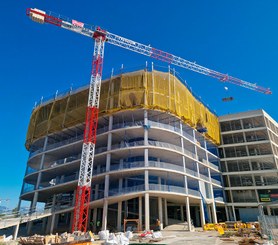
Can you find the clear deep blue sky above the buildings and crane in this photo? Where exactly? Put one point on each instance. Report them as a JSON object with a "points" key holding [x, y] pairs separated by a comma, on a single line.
{"points": [[235, 37]]}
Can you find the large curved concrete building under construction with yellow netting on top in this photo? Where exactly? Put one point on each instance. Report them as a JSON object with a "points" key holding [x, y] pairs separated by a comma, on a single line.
{"points": [[155, 158]]}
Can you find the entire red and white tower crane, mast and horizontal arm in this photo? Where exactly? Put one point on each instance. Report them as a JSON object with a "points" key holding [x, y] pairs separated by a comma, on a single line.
{"points": [[101, 36]]}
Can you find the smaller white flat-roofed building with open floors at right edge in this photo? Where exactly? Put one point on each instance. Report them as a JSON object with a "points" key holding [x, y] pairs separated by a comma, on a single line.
{"points": [[249, 158]]}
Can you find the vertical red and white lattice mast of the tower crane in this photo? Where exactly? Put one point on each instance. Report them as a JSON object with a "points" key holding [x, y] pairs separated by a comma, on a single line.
{"points": [[83, 191]]}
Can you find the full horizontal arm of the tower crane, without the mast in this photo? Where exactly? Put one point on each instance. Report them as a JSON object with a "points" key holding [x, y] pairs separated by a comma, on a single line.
{"points": [[90, 30]]}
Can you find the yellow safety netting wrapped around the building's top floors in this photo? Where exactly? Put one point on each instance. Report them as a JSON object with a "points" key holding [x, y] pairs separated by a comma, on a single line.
{"points": [[140, 89]]}
